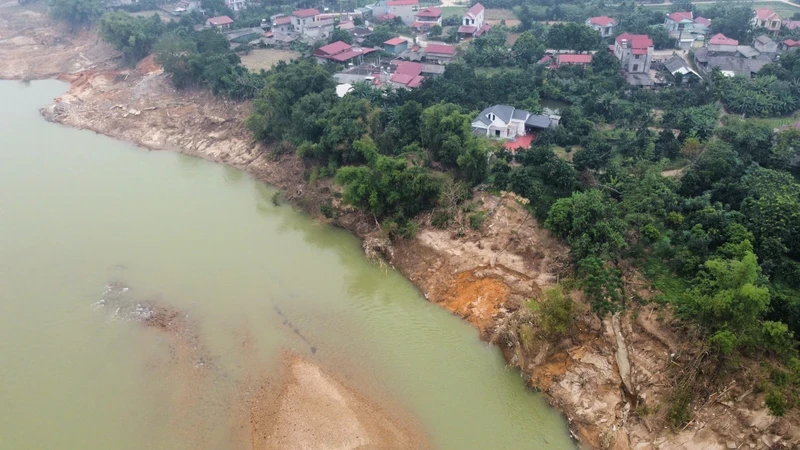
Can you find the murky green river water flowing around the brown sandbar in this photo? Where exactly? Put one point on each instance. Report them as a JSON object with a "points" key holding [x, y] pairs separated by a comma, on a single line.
{"points": [[79, 210]]}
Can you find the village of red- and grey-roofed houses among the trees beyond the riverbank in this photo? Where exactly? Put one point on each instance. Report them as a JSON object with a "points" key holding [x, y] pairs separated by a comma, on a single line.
{"points": [[424, 42]]}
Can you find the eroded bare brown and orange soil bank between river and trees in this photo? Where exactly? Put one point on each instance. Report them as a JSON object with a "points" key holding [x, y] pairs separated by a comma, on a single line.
{"points": [[611, 378]]}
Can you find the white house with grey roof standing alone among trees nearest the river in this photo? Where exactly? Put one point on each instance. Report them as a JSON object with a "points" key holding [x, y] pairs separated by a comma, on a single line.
{"points": [[507, 122]]}
